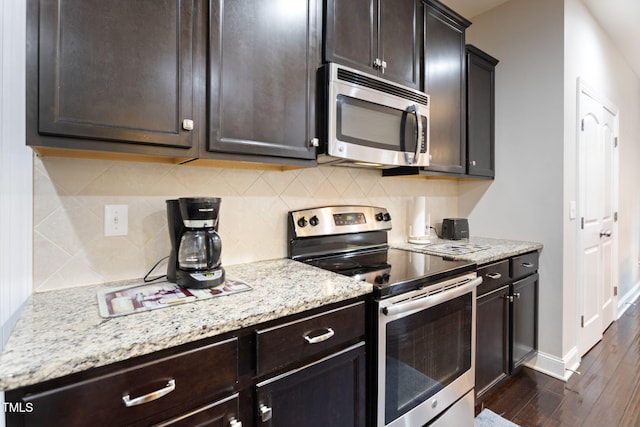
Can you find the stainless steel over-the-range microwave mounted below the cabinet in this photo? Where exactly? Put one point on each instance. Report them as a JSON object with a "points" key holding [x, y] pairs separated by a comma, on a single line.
{"points": [[373, 122]]}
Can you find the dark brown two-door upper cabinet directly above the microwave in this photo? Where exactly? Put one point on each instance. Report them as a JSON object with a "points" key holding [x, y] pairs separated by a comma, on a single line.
{"points": [[382, 37]]}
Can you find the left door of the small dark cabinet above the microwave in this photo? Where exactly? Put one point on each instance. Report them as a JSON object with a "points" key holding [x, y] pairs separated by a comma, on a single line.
{"points": [[351, 33]]}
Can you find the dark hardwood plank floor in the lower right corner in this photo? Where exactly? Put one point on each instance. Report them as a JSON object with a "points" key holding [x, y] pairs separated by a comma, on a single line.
{"points": [[606, 393]]}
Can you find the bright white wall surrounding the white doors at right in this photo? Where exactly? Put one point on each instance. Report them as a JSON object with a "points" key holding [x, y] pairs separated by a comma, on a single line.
{"points": [[591, 56]]}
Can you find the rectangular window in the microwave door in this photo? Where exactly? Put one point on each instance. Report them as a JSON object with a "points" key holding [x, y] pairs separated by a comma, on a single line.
{"points": [[374, 125]]}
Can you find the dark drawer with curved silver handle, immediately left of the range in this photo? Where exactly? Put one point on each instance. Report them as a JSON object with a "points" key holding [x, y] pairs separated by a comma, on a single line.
{"points": [[286, 344]]}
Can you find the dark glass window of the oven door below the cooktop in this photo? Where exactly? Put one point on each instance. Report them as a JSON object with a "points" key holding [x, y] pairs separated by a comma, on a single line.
{"points": [[425, 352]]}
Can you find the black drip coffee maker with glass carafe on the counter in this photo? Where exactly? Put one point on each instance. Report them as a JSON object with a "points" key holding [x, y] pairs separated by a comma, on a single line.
{"points": [[194, 261]]}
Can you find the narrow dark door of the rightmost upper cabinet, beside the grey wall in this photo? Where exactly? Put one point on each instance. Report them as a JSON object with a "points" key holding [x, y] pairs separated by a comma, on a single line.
{"points": [[480, 112]]}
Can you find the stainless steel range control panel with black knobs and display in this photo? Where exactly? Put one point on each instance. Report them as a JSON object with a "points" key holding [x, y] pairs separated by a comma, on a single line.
{"points": [[330, 220]]}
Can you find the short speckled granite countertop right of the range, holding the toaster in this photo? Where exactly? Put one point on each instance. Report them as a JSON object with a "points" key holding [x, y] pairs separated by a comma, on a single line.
{"points": [[498, 249]]}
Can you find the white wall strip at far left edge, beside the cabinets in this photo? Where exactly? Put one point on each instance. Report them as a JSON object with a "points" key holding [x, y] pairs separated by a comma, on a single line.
{"points": [[15, 173]]}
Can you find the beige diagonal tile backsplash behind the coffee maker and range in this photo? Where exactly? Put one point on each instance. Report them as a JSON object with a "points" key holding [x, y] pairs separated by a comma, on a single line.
{"points": [[69, 197]]}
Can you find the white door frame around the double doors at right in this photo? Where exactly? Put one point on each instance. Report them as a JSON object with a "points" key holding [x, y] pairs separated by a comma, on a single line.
{"points": [[584, 88]]}
